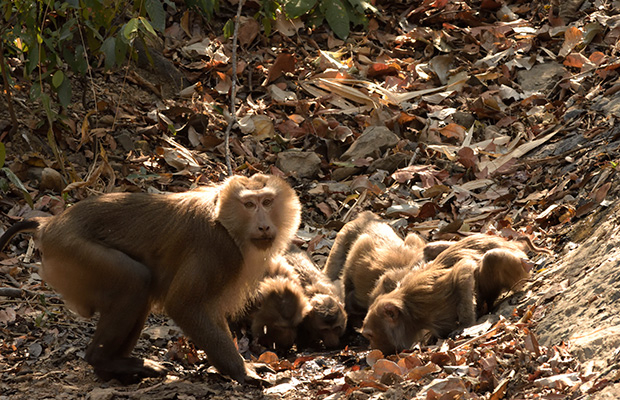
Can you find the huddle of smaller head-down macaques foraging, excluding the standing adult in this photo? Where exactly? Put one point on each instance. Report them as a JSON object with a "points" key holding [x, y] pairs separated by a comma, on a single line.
{"points": [[395, 292]]}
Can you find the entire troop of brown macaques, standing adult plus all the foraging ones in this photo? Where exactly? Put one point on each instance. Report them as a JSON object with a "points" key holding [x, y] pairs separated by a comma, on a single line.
{"points": [[203, 255]]}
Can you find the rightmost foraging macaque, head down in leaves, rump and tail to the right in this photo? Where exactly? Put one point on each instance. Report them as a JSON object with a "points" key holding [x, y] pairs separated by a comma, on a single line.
{"points": [[443, 295]]}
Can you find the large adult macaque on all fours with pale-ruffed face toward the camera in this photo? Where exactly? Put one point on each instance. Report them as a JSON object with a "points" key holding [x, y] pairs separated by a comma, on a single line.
{"points": [[195, 254]]}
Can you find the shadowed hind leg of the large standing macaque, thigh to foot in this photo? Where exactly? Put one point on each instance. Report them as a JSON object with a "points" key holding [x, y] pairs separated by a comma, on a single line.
{"points": [[116, 286]]}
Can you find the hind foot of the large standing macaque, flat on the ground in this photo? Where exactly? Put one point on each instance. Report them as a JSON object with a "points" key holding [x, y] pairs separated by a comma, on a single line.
{"points": [[129, 370]]}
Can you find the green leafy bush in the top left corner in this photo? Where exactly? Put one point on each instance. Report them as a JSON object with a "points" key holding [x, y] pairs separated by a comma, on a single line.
{"points": [[59, 39]]}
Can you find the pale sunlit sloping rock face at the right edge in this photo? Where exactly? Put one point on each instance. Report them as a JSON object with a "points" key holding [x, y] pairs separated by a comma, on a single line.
{"points": [[585, 312]]}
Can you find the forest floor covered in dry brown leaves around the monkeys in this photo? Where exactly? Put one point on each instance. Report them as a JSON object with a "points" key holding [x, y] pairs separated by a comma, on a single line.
{"points": [[443, 117]]}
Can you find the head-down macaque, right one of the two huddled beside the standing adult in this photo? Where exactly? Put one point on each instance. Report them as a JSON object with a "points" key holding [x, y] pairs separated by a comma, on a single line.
{"points": [[327, 320]]}
